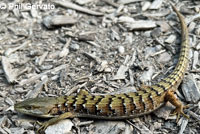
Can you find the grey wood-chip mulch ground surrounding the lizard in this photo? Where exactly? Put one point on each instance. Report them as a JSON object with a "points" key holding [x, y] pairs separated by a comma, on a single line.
{"points": [[118, 47]]}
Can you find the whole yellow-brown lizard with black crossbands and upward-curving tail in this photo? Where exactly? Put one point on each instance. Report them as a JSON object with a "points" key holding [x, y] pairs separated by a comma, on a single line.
{"points": [[117, 106]]}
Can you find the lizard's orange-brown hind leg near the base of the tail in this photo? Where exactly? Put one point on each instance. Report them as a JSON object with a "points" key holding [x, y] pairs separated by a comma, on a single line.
{"points": [[177, 103]]}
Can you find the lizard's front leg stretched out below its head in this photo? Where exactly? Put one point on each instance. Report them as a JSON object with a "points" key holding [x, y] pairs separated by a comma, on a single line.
{"points": [[54, 120]]}
